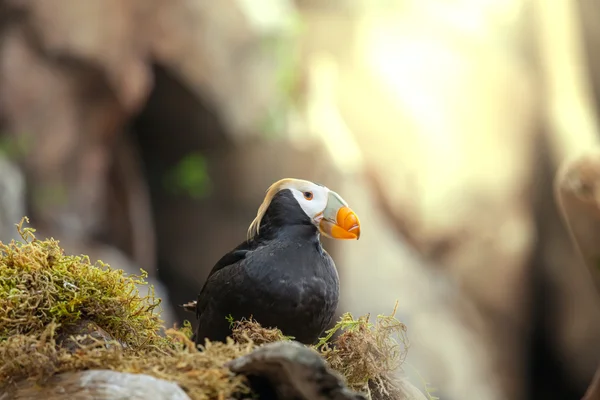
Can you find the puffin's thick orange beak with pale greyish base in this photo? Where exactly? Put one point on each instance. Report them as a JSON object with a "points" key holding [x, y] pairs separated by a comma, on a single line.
{"points": [[339, 221]]}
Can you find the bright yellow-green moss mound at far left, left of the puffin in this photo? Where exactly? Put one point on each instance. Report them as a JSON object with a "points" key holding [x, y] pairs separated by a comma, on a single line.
{"points": [[41, 285]]}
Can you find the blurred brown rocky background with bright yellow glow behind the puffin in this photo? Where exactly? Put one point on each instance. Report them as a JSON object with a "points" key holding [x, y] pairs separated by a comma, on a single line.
{"points": [[145, 132]]}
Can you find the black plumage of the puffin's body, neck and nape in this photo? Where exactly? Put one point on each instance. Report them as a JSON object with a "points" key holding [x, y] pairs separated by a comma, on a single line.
{"points": [[282, 277]]}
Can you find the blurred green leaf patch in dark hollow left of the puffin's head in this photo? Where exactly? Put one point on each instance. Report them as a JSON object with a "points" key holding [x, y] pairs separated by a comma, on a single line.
{"points": [[189, 176]]}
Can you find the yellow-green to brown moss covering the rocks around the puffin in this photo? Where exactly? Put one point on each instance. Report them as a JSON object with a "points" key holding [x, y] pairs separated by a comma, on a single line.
{"points": [[47, 297]]}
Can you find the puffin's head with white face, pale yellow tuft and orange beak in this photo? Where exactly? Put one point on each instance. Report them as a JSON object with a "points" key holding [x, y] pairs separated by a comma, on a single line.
{"points": [[297, 201]]}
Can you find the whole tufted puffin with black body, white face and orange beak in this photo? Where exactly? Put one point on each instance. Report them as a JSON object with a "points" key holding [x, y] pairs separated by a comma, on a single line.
{"points": [[280, 276]]}
